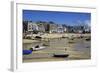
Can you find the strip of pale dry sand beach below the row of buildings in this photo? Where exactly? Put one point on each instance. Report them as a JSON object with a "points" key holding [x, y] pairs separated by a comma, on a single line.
{"points": [[54, 35]]}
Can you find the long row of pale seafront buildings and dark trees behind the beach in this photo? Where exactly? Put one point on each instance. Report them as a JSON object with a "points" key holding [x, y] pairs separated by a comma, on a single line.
{"points": [[30, 27]]}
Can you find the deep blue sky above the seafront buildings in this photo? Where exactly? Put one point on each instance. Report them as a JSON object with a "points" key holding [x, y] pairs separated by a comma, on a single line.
{"points": [[69, 18]]}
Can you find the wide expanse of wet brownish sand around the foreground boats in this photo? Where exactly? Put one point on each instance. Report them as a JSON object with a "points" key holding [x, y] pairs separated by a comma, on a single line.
{"points": [[78, 49]]}
